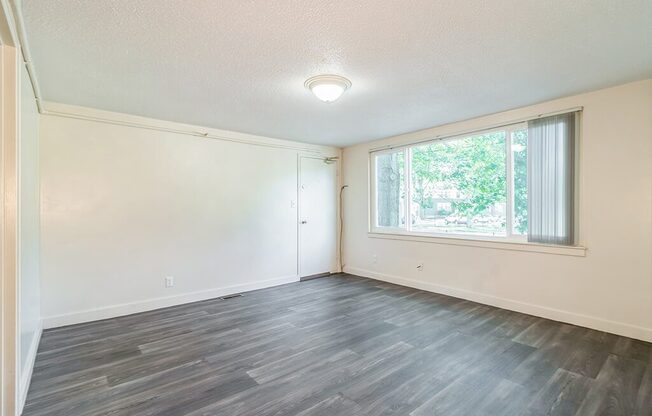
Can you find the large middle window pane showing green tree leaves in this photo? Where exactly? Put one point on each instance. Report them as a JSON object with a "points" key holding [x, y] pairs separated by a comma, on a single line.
{"points": [[458, 186]]}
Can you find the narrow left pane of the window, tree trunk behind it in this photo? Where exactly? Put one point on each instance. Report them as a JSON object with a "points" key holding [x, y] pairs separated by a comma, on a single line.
{"points": [[390, 189]]}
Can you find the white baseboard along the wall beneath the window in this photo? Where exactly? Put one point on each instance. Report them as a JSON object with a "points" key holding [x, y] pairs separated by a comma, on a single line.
{"points": [[619, 328]]}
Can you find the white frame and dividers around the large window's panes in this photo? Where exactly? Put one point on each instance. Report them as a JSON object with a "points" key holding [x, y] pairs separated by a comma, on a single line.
{"points": [[508, 242]]}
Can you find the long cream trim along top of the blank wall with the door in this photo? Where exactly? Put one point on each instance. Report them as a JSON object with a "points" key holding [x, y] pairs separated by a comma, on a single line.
{"points": [[122, 119]]}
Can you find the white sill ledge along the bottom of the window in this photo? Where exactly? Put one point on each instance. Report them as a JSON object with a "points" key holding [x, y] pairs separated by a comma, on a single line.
{"points": [[488, 242]]}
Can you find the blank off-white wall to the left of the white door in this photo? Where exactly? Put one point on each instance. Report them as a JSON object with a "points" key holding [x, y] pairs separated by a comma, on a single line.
{"points": [[123, 207]]}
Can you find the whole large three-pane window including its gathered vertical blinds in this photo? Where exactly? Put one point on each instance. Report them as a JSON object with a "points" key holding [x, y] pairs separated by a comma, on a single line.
{"points": [[512, 183]]}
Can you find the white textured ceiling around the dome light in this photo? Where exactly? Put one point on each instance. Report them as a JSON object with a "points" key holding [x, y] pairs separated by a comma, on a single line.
{"points": [[240, 64]]}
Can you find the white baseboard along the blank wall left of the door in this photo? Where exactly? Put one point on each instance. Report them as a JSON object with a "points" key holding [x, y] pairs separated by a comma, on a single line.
{"points": [[157, 303]]}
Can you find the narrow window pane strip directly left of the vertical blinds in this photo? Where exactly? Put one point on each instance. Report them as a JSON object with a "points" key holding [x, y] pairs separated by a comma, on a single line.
{"points": [[519, 174]]}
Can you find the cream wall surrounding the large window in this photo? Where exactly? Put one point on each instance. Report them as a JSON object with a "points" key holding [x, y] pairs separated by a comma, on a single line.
{"points": [[609, 289]]}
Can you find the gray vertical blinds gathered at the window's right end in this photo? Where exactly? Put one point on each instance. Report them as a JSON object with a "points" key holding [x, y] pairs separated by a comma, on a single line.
{"points": [[550, 150]]}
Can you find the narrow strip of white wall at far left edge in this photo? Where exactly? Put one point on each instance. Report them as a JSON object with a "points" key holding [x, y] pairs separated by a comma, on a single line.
{"points": [[28, 231]]}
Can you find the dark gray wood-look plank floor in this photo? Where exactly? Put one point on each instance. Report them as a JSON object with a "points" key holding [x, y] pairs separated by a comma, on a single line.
{"points": [[340, 345]]}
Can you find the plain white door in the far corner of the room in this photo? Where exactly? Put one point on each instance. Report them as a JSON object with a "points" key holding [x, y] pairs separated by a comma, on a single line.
{"points": [[317, 216]]}
